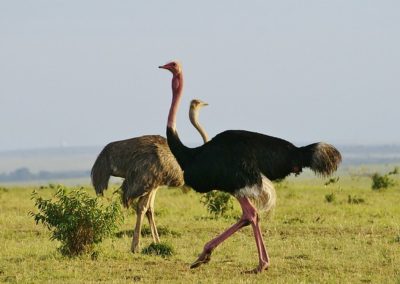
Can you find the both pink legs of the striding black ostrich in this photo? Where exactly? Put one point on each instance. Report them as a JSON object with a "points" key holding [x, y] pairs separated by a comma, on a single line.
{"points": [[249, 216]]}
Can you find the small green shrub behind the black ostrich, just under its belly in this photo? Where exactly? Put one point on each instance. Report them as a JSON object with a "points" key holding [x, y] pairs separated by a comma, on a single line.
{"points": [[218, 203]]}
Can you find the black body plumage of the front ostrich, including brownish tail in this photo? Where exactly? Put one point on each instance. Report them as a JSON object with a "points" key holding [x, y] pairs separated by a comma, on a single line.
{"points": [[236, 158]]}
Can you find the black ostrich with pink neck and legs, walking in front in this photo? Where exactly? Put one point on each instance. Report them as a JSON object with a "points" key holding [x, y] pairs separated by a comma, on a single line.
{"points": [[243, 164]]}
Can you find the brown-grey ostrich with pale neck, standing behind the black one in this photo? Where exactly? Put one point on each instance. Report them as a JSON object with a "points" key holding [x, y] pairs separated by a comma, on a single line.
{"points": [[146, 163]]}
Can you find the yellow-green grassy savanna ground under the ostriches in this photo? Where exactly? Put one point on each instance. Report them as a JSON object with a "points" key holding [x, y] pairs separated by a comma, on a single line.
{"points": [[355, 238]]}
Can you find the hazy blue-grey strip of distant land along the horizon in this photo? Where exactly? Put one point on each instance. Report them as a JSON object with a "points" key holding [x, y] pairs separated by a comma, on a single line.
{"points": [[82, 158]]}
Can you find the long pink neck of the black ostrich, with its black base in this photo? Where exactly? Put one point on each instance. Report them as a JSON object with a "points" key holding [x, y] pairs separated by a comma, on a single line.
{"points": [[180, 151]]}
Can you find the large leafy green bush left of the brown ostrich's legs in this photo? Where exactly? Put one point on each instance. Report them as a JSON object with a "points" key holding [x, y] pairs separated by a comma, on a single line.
{"points": [[77, 220]]}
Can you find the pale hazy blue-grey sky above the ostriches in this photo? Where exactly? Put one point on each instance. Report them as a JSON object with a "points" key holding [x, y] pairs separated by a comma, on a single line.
{"points": [[85, 72]]}
